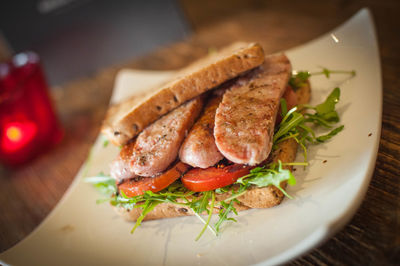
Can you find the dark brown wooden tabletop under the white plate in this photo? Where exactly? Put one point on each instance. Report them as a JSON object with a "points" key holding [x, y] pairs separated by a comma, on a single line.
{"points": [[372, 237]]}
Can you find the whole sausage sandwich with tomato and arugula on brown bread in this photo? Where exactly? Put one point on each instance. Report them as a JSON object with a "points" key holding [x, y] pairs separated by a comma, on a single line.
{"points": [[220, 137]]}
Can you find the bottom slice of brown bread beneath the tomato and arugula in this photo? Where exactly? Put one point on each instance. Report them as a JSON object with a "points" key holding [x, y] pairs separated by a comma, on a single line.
{"points": [[253, 198]]}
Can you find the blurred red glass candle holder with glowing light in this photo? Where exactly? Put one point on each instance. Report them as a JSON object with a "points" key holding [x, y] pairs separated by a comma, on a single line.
{"points": [[28, 124]]}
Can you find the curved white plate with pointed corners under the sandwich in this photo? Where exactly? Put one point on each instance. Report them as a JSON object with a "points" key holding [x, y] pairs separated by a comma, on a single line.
{"points": [[78, 231]]}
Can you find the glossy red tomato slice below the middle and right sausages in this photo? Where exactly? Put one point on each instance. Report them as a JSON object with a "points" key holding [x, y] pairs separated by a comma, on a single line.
{"points": [[211, 178]]}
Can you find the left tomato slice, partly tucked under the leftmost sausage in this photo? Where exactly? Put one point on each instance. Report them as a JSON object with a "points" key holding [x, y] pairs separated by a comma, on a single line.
{"points": [[134, 187]]}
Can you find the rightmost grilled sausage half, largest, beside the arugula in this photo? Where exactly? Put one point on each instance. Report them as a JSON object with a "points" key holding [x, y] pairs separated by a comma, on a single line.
{"points": [[244, 121]]}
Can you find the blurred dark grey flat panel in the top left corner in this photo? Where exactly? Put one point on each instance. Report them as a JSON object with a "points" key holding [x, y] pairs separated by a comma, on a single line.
{"points": [[77, 37]]}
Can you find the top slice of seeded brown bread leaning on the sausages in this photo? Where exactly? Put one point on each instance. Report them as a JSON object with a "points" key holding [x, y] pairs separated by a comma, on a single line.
{"points": [[122, 124]]}
